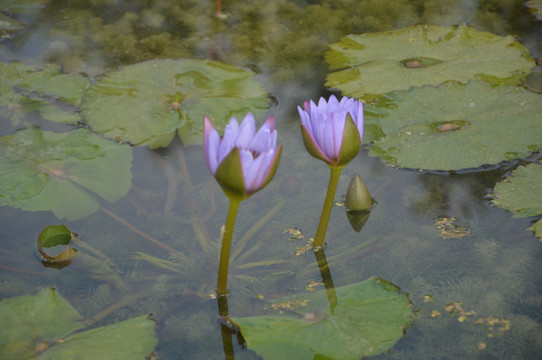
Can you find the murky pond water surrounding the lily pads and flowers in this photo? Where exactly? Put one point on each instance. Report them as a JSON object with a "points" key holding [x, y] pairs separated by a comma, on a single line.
{"points": [[471, 270]]}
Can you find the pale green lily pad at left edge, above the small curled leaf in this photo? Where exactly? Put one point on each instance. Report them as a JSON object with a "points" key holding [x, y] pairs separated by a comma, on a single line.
{"points": [[64, 173]]}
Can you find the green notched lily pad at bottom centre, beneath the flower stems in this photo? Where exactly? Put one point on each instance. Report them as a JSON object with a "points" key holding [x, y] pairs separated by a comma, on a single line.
{"points": [[369, 318]]}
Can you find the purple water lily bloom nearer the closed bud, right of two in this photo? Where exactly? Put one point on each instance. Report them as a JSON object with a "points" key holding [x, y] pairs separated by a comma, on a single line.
{"points": [[332, 131]]}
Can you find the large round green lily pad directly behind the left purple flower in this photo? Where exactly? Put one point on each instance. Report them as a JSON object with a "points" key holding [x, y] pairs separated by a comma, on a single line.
{"points": [[146, 103]]}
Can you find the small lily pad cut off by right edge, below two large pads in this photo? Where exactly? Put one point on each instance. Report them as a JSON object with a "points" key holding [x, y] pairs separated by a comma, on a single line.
{"points": [[521, 193]]}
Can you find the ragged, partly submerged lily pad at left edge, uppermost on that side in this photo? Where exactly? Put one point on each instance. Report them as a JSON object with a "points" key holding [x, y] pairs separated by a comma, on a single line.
{"points": [[25, 89]]}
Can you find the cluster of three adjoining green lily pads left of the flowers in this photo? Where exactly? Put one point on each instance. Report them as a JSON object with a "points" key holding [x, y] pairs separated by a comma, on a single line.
{"points": [[142, 104]]}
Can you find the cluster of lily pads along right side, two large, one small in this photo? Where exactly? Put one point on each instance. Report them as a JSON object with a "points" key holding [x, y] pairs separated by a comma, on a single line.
{"points": [[446, 99]]}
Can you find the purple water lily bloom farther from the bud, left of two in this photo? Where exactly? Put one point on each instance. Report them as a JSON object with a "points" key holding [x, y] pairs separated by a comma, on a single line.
{"points": [[244, 160]]}
